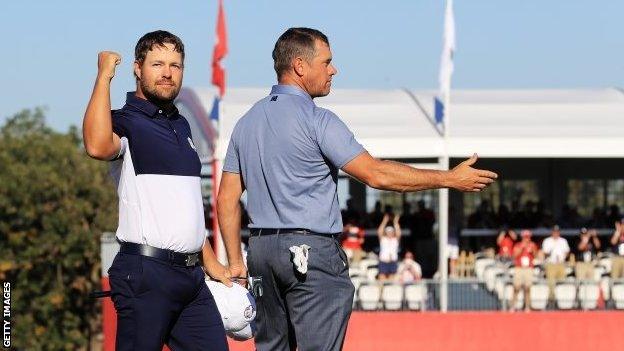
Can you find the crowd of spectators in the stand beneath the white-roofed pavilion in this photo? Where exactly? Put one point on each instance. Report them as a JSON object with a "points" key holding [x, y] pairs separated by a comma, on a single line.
{"points": [[553, 254]]}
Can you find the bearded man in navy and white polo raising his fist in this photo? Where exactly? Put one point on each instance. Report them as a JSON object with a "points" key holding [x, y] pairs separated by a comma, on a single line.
{"points": [[157, 284]]}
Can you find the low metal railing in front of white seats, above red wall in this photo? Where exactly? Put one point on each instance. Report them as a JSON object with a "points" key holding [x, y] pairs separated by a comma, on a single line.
{"points": [[477, 295]]}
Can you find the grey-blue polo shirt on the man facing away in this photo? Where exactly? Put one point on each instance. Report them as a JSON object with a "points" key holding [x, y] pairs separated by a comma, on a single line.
{"points": [[288, 151]]}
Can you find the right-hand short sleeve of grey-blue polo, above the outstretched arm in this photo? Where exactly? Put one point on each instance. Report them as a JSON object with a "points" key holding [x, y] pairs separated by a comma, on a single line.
{"points": [[336, 141]]}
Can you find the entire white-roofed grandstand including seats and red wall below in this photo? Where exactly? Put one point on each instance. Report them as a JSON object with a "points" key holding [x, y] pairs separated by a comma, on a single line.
{"points": [[560, 150]]}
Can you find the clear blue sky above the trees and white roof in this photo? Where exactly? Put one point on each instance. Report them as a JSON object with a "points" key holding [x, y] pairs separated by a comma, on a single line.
{"points": [[50, 47]]}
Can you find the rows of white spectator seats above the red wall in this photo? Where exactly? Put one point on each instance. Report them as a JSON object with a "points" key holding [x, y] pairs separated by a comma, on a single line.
{"points": [[489, 289]]}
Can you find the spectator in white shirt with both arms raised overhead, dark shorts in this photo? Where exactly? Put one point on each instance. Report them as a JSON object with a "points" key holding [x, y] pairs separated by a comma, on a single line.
{"points": [[389, 238]]}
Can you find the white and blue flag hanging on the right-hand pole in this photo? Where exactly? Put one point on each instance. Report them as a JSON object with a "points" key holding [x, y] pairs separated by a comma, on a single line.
{"points": [[446, 63]]}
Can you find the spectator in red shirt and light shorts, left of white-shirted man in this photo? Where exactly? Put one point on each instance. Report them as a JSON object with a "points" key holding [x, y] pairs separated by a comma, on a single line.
{"points": [[523, 253]]}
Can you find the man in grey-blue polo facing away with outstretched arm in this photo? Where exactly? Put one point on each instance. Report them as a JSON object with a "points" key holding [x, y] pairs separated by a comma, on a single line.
{"points": [[286, 153]]}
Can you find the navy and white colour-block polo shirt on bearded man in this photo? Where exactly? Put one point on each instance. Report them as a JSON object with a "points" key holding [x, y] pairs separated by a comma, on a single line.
{"points": [[157, 173]]}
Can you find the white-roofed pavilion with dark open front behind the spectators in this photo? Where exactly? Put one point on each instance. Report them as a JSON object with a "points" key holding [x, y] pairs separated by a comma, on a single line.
{"points": [[554, 149]]}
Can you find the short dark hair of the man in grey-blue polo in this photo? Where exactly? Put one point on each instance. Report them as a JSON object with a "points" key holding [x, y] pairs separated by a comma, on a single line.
{"points": [[293, 43]]}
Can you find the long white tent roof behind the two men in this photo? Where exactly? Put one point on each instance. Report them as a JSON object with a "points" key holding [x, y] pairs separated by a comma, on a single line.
{"points": [[494, 123]]}
